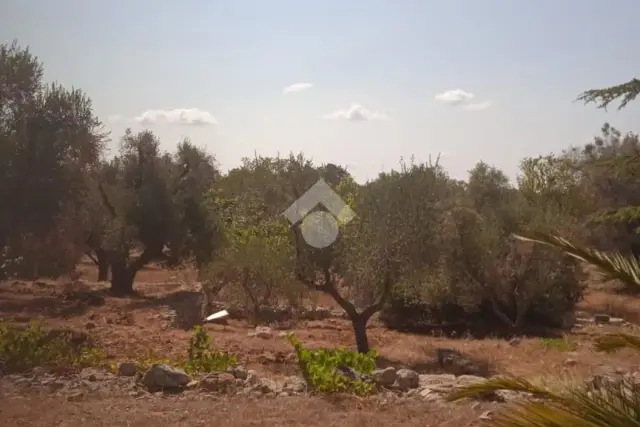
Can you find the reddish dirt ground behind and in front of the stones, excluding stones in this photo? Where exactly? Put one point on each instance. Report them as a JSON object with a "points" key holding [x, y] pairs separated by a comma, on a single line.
{"points": [[129, 328]]}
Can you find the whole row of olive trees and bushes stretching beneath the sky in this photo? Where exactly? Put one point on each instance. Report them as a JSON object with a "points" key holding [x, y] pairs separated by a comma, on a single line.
{"points": [[424, 248]]}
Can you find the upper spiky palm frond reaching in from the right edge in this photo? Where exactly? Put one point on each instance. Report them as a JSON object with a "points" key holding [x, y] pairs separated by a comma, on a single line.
{"points": [[612, 265]]}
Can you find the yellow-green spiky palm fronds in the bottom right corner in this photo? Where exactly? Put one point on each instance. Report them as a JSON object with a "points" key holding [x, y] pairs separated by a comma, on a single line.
{"points": [[615, 404]]}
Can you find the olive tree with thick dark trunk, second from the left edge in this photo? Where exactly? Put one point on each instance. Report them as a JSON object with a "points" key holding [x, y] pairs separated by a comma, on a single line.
{"points": [[151, 207]]}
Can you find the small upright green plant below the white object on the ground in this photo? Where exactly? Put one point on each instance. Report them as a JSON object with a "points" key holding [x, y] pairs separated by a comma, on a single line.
{"points": [[202, 359]]}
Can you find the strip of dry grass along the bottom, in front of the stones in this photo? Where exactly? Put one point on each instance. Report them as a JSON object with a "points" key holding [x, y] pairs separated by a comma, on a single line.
{"points": [[294, 411]]}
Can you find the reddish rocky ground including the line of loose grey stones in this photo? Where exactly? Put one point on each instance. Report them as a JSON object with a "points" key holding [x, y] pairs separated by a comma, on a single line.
{"points": [[267, 388]]}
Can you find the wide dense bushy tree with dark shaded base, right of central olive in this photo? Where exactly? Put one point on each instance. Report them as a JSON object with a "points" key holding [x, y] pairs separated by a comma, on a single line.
{"points": [[485, 277]]}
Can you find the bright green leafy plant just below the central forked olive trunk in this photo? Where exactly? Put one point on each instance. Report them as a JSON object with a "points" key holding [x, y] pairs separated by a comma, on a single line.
{"points": [[319, 368]]}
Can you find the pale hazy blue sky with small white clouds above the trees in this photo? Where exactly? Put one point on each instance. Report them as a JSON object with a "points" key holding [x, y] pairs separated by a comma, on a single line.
{"points": [[358, 83]]}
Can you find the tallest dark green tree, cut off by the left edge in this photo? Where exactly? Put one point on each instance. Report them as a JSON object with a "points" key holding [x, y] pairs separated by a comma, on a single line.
{"points": [[49, 139]]}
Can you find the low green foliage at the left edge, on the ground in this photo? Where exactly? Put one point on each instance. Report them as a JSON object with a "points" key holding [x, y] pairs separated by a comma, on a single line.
{"points": [[23, 349]]}
